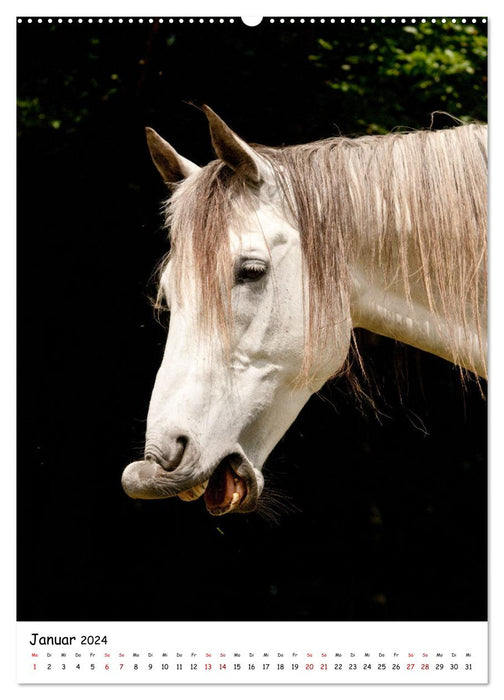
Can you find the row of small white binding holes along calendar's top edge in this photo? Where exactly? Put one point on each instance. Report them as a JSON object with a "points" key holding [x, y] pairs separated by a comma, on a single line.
{"points": [[292, 20]]}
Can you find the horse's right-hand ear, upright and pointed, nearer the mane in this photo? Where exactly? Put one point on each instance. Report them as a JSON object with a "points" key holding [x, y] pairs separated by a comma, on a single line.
{"points": [[232, 149]]}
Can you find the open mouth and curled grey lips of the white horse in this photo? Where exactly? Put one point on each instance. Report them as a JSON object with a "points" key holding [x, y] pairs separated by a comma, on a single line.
{"points": [[234, 485]]}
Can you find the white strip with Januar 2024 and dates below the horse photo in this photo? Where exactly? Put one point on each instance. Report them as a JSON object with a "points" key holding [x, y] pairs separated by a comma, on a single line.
{"points": [[241, 652]]}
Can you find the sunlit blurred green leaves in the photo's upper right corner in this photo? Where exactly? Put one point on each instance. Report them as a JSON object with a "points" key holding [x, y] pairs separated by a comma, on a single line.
{"points": [[390, 76]]}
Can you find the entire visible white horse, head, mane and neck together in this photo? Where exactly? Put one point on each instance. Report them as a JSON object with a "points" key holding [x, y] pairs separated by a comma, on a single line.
{"points": [[276, 255]]}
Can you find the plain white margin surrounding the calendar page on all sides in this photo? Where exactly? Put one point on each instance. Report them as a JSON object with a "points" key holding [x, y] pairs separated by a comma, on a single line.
{"points": [[257, 8]]}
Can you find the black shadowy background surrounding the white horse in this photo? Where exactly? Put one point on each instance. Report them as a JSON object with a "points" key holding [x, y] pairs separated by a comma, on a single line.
{"points": [[370, 517]]}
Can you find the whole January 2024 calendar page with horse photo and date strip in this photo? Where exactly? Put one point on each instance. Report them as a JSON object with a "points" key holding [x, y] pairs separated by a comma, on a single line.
{"points": [[252, 356]]}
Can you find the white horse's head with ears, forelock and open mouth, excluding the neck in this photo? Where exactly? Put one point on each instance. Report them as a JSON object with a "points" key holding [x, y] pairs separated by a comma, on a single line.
{"points": [[232, 379]]}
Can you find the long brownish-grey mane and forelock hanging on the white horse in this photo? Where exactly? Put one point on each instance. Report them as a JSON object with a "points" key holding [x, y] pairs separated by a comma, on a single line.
{"points": [[417, 200]]}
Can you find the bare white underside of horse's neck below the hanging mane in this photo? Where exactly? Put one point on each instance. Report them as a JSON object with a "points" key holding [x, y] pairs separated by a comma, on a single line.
{"points": [[388, 309]]}
